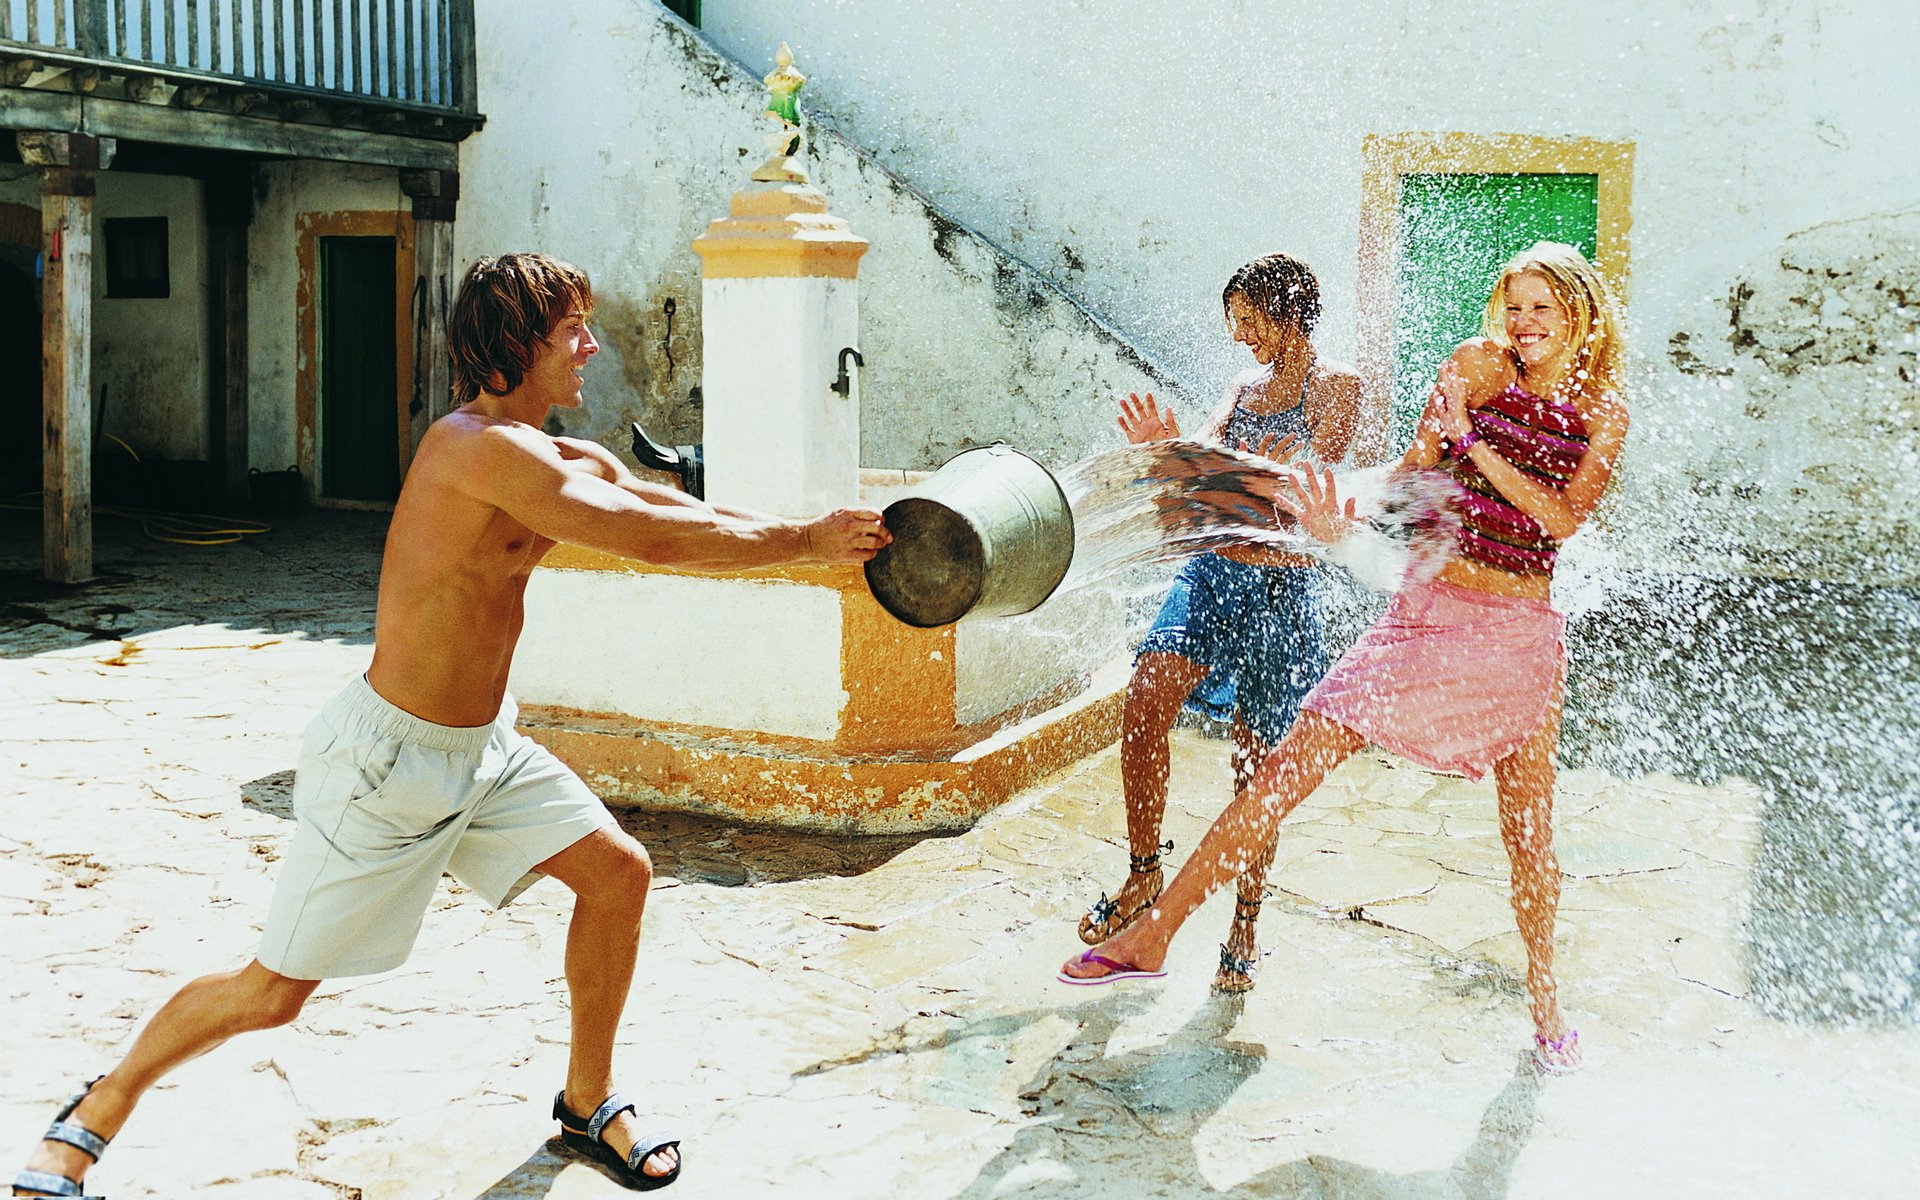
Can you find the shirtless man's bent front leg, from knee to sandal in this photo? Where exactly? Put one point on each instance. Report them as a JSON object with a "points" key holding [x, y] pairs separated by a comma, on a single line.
{"points": [[610, 875]]}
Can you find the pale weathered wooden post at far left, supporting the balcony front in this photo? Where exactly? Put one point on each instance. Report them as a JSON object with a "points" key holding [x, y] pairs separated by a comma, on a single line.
{"points": [[68, 164]]}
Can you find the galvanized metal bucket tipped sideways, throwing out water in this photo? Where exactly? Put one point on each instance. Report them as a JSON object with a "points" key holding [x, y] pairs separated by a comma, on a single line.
{"points": [[988, 535]]}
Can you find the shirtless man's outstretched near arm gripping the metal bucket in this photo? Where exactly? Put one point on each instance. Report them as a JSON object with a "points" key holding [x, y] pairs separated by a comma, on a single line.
{"points": [[525, 473]]}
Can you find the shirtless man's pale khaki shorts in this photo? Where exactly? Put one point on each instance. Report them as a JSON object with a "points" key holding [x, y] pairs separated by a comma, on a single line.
{"points": [[385, 804]]}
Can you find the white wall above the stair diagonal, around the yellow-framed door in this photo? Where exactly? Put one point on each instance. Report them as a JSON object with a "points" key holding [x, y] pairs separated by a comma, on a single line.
{"points": [[1138, 153]]}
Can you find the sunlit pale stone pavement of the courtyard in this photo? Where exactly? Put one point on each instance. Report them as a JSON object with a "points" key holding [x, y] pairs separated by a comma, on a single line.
{"points": [[842, 1017]]}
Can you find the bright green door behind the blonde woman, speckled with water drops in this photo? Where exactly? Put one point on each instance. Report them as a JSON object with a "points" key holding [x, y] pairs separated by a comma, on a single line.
{"points": [[1456, 231]]}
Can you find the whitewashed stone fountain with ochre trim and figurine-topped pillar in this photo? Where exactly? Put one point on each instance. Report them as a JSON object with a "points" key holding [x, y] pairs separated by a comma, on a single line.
{"points": [[790, 696]]}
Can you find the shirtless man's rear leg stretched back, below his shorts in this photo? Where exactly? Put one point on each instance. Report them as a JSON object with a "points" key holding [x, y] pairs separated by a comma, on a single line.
{"points": [[199, 1019]]}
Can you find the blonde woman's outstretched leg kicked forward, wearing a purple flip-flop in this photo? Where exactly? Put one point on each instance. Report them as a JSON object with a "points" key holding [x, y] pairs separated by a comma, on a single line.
{"points": [[1236, 842]]}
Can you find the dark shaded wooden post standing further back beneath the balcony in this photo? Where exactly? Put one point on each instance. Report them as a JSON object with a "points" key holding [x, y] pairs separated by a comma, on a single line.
{"points": [[229, 203]]}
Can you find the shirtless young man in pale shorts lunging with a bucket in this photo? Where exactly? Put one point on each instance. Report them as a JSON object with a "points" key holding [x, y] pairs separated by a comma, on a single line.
{"points": [[418, 769]]}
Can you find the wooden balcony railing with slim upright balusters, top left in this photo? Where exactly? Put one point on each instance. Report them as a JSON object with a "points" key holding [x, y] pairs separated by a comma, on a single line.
{"points": [[404, 55]]}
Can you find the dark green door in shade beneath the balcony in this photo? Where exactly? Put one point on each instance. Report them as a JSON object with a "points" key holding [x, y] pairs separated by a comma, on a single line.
{"points": [[360, 410]]}
